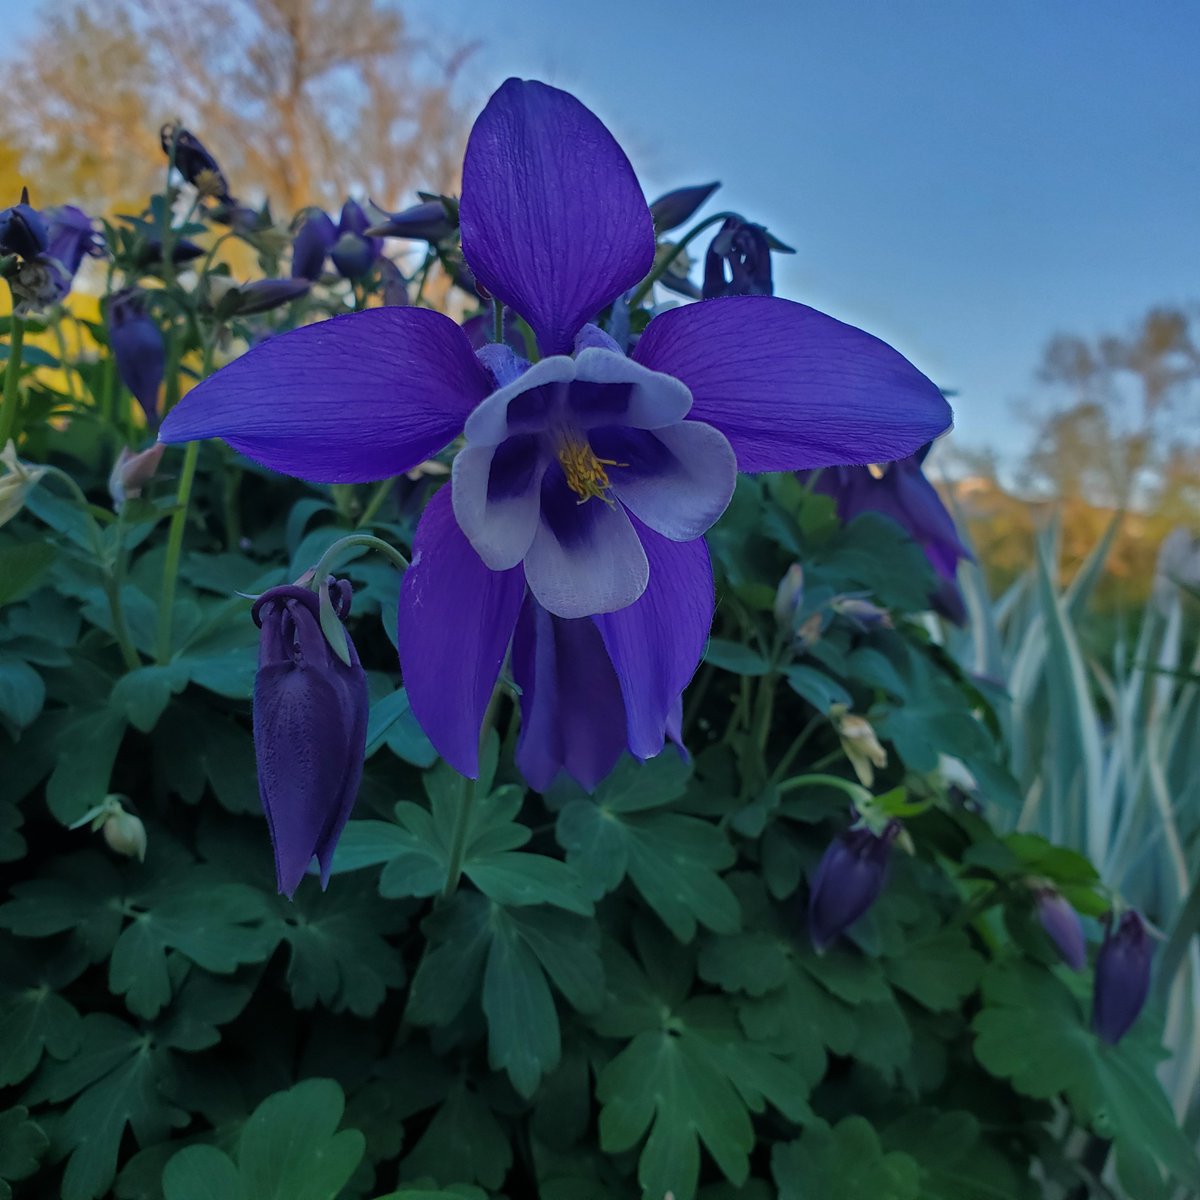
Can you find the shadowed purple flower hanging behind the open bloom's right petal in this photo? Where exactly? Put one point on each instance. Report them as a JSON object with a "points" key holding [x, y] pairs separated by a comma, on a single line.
{"points": [[902, 493]]}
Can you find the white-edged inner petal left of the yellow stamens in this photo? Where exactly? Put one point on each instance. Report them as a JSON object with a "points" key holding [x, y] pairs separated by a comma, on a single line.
{"points": [[497, 499]]}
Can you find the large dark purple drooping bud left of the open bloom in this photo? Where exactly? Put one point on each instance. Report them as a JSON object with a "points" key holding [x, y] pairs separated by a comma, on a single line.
{"points": [[310, 729]]}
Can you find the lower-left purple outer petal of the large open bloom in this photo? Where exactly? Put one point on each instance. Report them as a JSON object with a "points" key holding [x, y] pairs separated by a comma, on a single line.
{"points": [[457, 620]]}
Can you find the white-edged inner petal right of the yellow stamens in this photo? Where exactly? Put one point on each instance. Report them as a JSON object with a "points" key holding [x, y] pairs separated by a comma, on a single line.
{"points": [[677, 481]]}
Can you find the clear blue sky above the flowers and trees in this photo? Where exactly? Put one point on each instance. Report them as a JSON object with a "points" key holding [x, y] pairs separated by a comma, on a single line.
{"points": [[962, 178]]}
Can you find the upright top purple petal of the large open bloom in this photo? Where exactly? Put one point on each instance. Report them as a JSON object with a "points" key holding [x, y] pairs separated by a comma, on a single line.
{"points": [[554, 220]]}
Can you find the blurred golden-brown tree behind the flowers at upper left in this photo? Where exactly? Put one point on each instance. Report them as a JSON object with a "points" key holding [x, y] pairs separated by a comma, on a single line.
{"points": [[302, 101]]}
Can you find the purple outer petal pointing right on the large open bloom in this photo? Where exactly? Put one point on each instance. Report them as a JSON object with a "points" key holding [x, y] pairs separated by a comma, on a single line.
{"points": [[793, 388]]}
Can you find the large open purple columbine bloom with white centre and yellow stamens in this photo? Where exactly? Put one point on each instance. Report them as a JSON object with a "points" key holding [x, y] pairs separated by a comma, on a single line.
{"points": [[578, 508]]}
